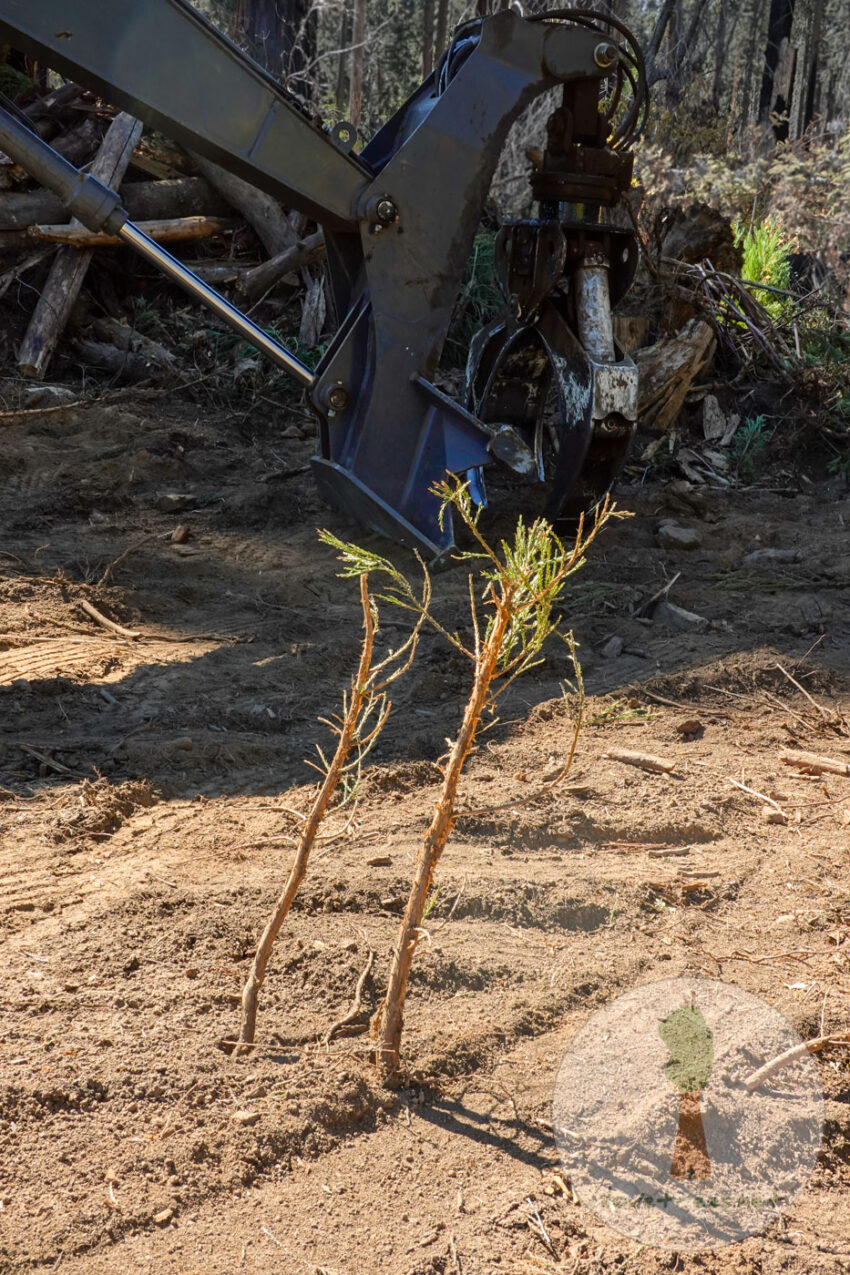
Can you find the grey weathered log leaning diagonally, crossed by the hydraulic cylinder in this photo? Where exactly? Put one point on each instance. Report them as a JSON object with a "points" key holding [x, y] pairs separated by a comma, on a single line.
{"points": [[69, 270]]}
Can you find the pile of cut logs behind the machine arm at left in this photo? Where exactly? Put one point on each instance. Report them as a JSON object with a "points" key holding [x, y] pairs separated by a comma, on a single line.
{"points": [[240, 240]]}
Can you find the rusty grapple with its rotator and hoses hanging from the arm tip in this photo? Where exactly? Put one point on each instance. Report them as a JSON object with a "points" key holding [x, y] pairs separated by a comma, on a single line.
{"points": [[551, 367]]}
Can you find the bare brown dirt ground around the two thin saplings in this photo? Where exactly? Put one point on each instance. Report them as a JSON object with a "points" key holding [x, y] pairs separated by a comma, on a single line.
{"points": [[146, 796]]}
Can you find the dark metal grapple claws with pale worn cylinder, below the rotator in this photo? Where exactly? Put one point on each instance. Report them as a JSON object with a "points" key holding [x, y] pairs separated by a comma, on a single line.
{"points": [[551, 369]]}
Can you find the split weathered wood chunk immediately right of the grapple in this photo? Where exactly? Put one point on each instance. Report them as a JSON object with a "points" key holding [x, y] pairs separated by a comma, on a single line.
{"points": [[667, 372]]}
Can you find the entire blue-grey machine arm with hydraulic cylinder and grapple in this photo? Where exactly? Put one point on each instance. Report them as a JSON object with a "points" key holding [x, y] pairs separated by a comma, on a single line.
{"points": [[400, 222]]}
